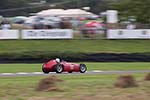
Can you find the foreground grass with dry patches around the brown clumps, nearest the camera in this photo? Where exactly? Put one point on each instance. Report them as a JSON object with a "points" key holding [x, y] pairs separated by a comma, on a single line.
{"points": [[79, 87]]}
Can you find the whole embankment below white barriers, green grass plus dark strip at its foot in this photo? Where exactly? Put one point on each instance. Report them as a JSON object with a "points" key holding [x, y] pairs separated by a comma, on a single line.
{"points": [[74, 50]]}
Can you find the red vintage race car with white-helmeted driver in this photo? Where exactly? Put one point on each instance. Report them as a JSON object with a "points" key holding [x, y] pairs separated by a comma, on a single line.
{"points": [[55, 65]]}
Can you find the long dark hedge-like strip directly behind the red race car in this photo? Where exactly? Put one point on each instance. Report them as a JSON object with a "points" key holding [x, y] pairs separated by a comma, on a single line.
{"points": [[44, 56]]}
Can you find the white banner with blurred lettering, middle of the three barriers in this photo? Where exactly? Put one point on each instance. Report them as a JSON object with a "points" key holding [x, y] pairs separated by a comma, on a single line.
{"points": [[47, 34]]}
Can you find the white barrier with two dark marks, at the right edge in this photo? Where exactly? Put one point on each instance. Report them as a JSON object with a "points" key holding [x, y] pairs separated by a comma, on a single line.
{"points": [[128, 34]]}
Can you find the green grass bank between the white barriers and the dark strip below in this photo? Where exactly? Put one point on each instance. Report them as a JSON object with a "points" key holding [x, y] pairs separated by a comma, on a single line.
{"points": [[93, 46]]}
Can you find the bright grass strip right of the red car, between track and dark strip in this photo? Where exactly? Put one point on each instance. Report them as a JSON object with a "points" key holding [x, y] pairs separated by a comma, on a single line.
{"points": [[119, 66]]}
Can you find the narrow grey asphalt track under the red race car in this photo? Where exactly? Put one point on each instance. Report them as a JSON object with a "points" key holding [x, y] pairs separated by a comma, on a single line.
{"points": [[74, 73]]}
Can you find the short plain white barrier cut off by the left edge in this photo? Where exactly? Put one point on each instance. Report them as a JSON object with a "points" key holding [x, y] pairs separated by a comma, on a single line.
{"points": [[9, 34]]}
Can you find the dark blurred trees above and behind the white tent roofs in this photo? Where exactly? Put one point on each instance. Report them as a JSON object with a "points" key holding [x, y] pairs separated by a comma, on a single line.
{"points": [[96, 6]]}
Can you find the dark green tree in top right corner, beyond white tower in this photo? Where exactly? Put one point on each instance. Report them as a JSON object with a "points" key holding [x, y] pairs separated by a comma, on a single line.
{"points": [[137, 8]]}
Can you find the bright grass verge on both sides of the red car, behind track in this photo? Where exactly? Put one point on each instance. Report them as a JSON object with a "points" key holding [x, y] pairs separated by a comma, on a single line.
{"points": [[5, 68]]}
